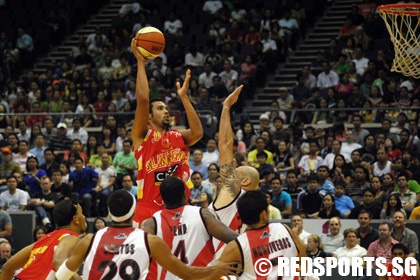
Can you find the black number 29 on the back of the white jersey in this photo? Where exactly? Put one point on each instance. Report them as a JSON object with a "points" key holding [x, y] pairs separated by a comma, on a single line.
{"points": [[122, 270]]}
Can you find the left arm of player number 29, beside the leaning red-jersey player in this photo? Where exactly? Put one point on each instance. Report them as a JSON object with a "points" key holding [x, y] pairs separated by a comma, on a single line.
{"points": [[76, 258]]}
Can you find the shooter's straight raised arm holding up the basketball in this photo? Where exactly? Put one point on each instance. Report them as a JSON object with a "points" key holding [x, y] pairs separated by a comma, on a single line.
{"points": [[141, 116]]}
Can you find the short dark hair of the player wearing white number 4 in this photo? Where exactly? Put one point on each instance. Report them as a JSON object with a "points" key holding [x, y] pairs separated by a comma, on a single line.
{"points": [[172, 190]]}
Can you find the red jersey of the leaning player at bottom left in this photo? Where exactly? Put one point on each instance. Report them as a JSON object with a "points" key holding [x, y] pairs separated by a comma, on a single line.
{"points": [[39, 264]]}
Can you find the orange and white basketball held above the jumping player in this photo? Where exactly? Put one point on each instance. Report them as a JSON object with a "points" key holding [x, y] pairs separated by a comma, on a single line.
{"points": [[150, 42]]}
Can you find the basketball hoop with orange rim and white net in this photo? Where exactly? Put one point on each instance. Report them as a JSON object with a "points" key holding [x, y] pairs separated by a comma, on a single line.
{"points": [[403, 24]]}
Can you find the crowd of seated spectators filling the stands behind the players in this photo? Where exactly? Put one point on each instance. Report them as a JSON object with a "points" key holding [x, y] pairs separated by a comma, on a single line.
{"points": [[316, 172]]}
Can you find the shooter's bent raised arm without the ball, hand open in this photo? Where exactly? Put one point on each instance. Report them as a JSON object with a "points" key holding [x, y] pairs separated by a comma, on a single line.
{"points": [[195, 132]]}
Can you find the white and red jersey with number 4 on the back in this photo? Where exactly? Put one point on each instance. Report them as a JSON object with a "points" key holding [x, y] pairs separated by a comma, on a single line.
{"points": [[184, 231]]}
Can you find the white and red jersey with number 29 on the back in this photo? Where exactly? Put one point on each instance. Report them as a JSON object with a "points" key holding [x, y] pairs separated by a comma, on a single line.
{"points": [[118, 253]]}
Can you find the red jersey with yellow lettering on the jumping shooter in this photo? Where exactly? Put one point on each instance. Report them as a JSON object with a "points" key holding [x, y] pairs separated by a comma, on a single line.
{"points": [[158, 157]]}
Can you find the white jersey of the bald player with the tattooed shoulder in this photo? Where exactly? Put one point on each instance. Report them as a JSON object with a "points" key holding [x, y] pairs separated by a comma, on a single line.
{"points": [[229, 216]]}
